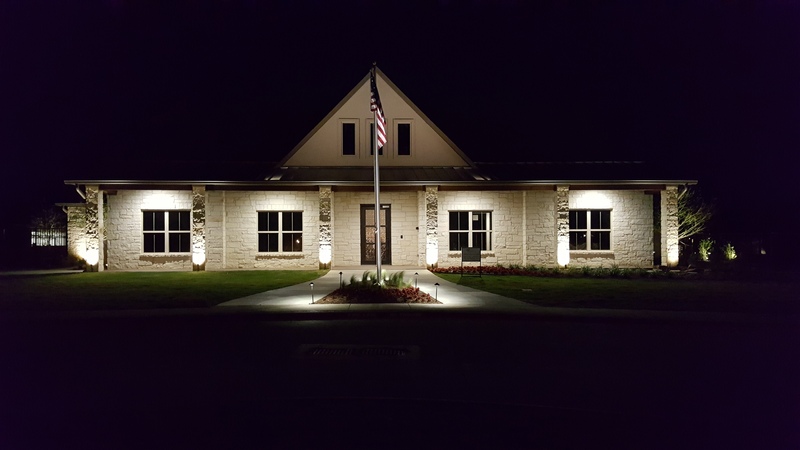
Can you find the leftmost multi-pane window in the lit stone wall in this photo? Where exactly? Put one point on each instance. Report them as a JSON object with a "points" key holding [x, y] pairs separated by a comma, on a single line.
{"points": [[167, 231]]}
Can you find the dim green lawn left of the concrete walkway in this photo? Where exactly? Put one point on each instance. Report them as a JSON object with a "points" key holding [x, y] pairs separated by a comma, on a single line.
{"points": [[135, 290]]}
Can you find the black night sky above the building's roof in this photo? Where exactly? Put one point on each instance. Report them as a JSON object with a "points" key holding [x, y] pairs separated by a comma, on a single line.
{"points": [[709, 87]]}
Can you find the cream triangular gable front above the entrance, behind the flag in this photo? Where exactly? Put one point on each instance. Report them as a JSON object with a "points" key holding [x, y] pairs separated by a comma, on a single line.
{"points": [[321, 146]]}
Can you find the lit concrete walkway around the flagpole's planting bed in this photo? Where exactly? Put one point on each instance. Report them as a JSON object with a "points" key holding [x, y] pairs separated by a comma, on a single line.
{"points": [[297, 298]]}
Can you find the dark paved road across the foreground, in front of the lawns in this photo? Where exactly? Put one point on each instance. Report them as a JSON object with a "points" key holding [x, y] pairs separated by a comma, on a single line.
{"points": [[675, 384]]}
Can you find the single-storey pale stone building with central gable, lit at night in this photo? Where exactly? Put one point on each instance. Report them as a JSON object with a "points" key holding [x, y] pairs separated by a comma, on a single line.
{"points": [[316, 208]]}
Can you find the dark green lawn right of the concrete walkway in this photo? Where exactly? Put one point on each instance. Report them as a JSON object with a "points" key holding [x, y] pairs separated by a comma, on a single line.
{"points": [[646, 294]]}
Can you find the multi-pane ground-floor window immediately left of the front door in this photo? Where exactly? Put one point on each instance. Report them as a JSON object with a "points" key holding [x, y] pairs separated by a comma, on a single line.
{"points": [[280, 231]]}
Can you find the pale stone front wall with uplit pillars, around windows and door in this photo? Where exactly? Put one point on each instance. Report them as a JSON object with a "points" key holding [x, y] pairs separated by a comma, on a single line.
{"points": [[529, 227]]}
